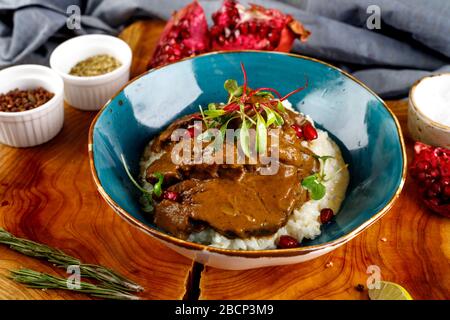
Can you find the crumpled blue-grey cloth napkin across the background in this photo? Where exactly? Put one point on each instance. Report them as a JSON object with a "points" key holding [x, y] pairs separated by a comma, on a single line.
{"points": [[413, 40]]}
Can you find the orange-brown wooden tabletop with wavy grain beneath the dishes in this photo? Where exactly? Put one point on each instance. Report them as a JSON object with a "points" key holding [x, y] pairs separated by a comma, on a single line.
{"points": [[47, 195]]}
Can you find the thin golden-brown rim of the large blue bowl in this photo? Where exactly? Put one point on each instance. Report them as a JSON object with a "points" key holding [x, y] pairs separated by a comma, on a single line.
{"points": [[302, 250]]}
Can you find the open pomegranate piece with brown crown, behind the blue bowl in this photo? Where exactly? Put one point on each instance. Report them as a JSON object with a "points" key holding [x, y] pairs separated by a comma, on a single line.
{"points": [[237, 27]]}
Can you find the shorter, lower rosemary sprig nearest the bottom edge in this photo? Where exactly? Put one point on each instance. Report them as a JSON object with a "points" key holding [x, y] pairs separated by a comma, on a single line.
{"points": [[39, 280]]}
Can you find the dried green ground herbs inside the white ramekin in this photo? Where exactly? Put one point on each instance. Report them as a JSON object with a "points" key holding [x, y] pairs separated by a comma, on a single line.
{"points": [[95, 66]]}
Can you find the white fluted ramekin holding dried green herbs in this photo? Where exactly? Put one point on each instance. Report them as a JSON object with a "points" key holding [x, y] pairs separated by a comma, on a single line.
{"points": [[91, 93]]}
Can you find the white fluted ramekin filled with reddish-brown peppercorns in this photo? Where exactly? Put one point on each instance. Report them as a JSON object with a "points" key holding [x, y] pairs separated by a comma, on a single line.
{"points": [[36, 126]]}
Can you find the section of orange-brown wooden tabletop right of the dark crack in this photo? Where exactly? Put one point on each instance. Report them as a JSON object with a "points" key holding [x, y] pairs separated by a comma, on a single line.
{"points": [[410, 245]]}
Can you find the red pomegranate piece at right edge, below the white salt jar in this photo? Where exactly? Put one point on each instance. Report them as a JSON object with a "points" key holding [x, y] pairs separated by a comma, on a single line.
{"points": [[431, 167]]}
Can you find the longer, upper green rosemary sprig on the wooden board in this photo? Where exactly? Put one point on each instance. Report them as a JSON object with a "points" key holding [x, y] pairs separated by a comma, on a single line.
{"points": [[107, 277]]}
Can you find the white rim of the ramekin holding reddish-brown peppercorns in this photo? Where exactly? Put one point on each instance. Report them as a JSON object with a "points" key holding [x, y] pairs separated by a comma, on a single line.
{"points": [[57, 96]]}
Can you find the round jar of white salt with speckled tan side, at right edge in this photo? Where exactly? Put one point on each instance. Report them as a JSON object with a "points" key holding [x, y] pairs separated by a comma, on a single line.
{"points": [[429, 110]]}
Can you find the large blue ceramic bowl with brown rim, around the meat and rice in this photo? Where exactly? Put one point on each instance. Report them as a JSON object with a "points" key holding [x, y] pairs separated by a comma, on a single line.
{"points": [[359, 121]]}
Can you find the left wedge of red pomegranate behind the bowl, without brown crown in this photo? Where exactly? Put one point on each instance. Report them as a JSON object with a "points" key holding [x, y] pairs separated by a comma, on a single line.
{"points": [[185, 34]]}
